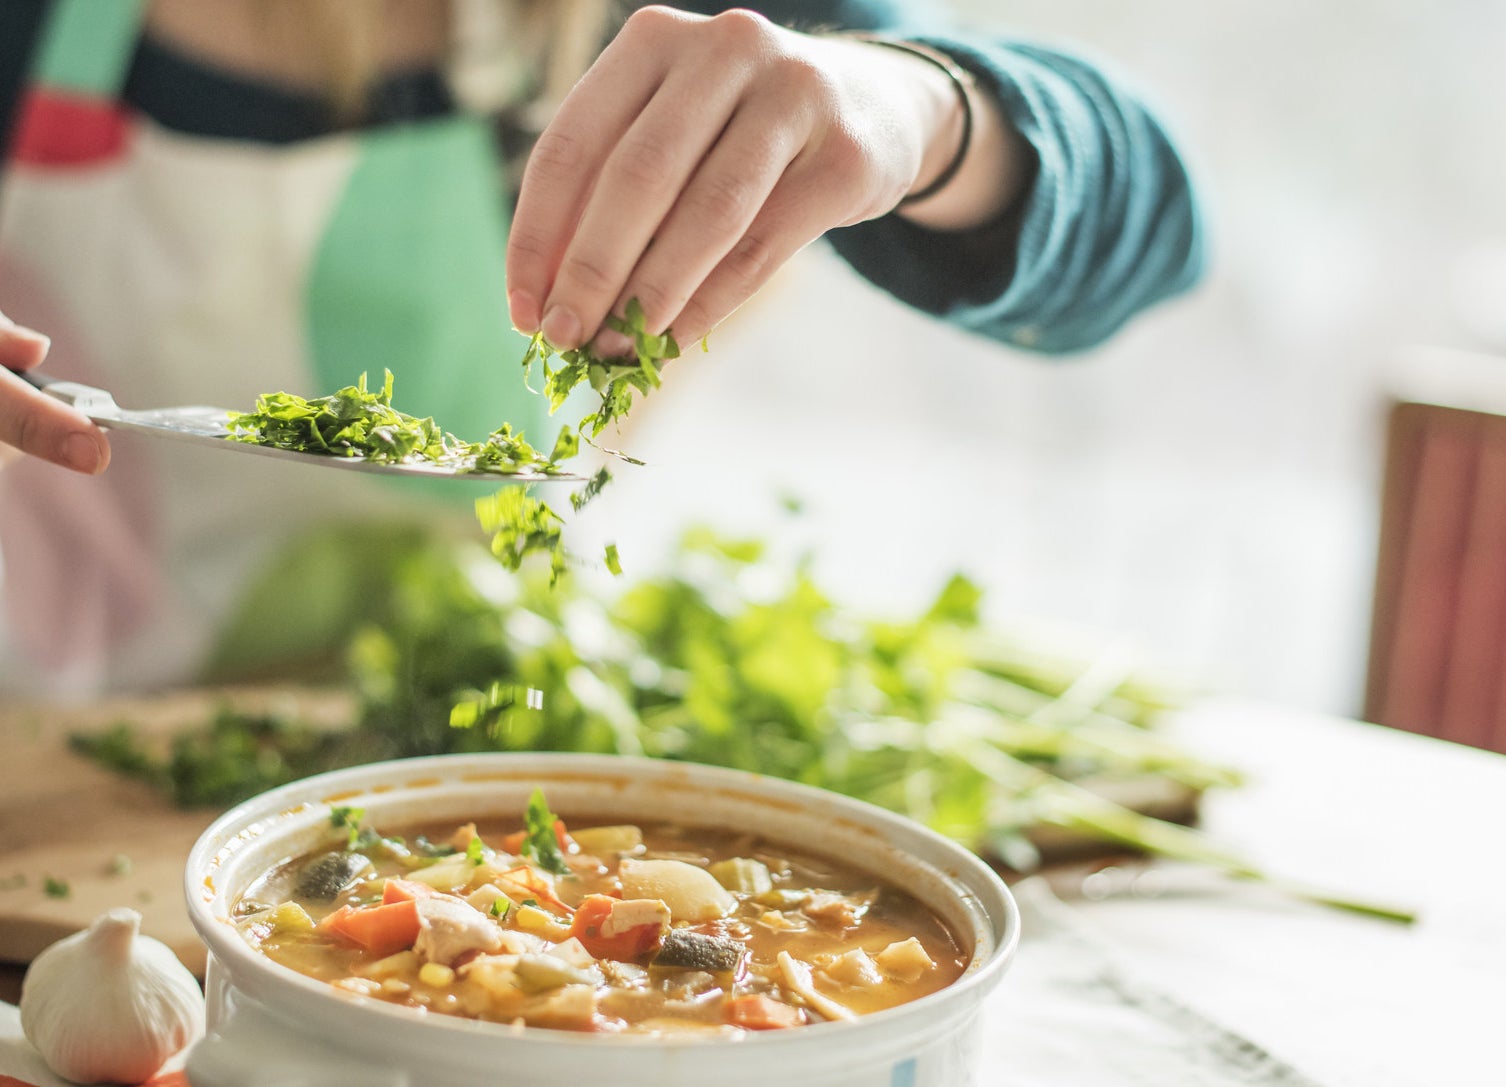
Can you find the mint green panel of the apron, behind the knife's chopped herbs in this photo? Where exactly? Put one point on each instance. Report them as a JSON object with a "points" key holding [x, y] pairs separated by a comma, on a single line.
{"points": [[410, 278]]}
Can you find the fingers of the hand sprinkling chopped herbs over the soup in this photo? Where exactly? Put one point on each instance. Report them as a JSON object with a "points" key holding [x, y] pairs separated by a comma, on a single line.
{"points": [[672, 187]]}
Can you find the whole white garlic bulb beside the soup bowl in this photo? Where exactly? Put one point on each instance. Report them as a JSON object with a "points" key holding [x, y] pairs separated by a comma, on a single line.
{"points": [[109, 1005]]}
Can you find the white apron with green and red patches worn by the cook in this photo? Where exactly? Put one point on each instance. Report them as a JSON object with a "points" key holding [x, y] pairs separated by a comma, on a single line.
{"points": [[184, 270]]}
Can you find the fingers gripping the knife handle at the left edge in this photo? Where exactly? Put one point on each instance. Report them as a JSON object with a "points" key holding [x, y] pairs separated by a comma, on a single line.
{"points": [[37, 424]]}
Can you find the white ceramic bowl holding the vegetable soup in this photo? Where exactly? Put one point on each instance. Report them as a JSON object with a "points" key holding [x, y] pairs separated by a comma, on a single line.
{"points": [[272, 1026]]}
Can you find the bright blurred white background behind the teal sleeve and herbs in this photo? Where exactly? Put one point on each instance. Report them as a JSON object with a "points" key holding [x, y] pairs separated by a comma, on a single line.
{"points": [[1206, 487]]}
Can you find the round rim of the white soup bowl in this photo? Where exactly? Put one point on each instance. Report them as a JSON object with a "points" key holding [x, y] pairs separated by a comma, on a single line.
{"points": [[285, 993]]}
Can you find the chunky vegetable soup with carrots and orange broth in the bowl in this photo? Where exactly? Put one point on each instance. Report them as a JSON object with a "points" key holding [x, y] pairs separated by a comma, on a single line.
{"points": [[609, 928]]}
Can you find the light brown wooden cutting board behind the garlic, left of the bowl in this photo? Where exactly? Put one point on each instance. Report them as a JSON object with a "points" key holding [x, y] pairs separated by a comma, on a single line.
{"points": [[112, 841]]}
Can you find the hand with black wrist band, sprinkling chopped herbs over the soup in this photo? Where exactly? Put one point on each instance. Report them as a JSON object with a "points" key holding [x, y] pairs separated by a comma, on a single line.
{"points": [[700, 154]]}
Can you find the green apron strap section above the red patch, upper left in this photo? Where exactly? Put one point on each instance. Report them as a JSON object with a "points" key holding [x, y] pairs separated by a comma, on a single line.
{"points": [[88, 46]]}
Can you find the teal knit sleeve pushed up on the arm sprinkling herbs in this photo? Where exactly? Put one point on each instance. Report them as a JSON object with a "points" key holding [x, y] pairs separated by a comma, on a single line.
{"points": [[1109, 224]]}
